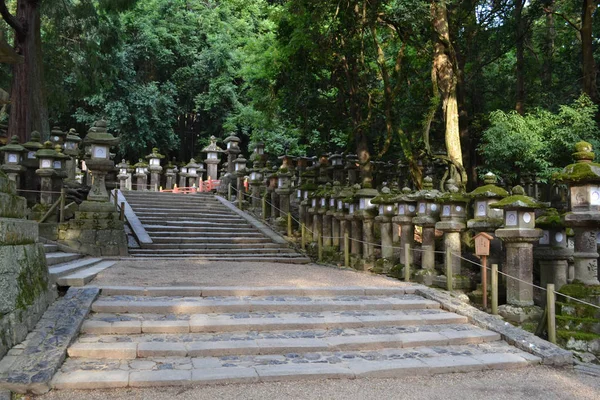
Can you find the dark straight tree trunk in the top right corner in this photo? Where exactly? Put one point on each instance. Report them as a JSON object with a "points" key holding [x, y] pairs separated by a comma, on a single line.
{"points": [[589, 65]]}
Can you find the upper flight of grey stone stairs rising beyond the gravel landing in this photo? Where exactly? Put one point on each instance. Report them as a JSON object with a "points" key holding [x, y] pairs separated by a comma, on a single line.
{"points": [[200, 226]]}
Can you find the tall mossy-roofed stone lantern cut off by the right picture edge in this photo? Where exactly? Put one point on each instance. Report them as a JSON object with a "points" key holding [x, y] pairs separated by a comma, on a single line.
{"points": [[583, 178]]}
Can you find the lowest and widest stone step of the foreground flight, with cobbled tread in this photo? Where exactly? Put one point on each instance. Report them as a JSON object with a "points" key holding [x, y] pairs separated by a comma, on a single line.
{"points": [[384, 363]]}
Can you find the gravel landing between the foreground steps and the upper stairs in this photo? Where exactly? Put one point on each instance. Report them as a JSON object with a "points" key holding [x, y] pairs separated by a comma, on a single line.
{"points": [[214, 273]]}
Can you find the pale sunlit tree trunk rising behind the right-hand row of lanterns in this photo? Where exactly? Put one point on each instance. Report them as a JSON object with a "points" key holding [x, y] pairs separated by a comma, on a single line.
{"points": [[444, 67]]}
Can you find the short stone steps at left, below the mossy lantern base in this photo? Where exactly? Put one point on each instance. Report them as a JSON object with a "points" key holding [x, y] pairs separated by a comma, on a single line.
{"points": [[73, 269]]}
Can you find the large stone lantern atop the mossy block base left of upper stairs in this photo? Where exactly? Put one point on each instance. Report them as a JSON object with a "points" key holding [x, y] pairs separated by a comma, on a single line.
{"points": [[99, 162]]}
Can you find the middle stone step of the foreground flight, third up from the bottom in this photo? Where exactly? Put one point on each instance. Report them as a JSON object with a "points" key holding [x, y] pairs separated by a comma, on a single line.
{"points": [[118, 324]]}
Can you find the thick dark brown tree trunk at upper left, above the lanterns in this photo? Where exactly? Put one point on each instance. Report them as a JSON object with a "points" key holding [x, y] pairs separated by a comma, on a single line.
{"points": [[28, 111]]}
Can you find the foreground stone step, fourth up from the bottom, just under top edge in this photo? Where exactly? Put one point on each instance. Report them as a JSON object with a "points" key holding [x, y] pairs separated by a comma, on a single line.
{"points": [[196, 305]]}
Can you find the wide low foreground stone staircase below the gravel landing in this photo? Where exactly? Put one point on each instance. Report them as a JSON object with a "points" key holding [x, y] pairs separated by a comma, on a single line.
{"points": [[138, 337]]}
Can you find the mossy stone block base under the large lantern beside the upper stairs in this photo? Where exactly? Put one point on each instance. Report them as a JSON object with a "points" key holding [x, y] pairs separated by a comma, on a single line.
{"points": [[96, 230]]}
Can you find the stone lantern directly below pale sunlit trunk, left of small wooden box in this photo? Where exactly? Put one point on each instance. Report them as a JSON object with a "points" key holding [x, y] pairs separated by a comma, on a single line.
{"points": [[452, 222]]}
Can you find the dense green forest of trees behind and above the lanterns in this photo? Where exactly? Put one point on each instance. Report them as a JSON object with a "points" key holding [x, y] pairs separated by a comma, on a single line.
{"points": [[483, 85]]}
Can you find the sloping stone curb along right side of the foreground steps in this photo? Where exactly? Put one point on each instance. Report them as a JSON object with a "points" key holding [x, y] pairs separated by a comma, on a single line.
{"points": [[549, 353]]}
